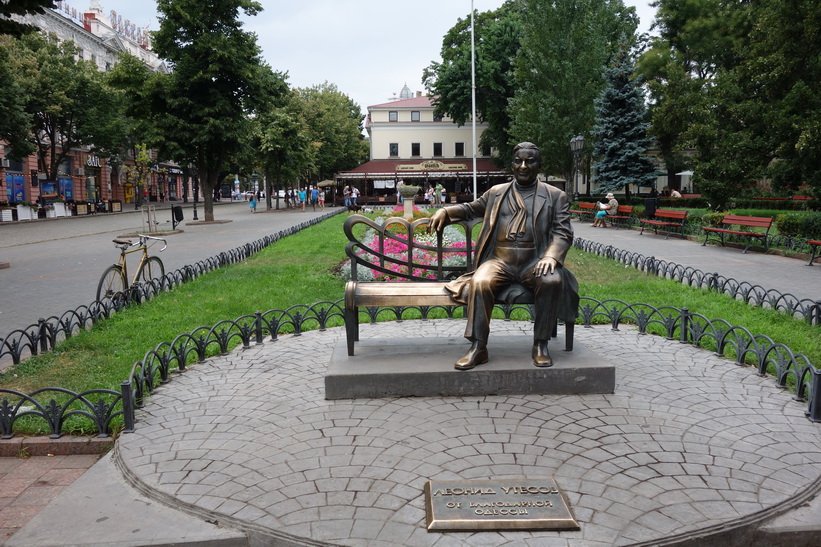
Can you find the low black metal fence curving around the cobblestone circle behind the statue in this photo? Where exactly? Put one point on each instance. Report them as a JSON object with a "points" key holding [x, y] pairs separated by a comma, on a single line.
{"points": [[791, 371]]}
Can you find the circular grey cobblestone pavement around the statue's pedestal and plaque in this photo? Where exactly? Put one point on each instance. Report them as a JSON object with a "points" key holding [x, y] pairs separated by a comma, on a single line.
{"points": [[688, 443]]}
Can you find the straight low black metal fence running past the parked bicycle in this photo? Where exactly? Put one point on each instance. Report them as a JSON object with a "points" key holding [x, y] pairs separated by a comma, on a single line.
{"points": [[44, 335]]}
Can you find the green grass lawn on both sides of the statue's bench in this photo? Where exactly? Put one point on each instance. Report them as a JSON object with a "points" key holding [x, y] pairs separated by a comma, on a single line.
{"points": [[300, 269]]}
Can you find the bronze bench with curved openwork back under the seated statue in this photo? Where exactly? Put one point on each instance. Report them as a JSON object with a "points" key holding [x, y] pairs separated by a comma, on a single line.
{"points": [[422, 284]]}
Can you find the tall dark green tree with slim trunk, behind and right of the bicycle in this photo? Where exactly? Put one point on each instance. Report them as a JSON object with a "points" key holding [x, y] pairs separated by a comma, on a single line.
{"points": [[204, 107]]}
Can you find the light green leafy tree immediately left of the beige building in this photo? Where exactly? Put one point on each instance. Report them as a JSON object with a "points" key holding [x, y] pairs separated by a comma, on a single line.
{"points": [[335, 125]]}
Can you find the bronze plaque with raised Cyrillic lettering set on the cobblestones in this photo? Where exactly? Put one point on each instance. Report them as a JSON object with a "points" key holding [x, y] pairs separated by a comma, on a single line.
{"points": [[513, 504]]}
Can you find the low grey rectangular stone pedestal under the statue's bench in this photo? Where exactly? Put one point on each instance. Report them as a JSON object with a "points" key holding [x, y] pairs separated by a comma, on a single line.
{"points": [[424, 368]]}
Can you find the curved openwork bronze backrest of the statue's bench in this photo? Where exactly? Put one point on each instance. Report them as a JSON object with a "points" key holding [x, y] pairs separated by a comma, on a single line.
{"points": [[388, 250]]}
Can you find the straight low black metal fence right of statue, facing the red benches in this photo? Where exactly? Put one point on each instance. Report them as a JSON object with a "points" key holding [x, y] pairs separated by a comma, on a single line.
{"points": [[749, 293]]}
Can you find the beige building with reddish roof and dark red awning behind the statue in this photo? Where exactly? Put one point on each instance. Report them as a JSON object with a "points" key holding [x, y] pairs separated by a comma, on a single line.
{"points": [[408, 143]]}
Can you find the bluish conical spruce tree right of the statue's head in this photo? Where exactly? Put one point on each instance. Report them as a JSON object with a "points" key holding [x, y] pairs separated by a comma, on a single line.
{"points": [[621, 131]]}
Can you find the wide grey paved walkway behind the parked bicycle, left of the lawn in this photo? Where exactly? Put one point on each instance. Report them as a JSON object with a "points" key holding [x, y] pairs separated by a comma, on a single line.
{"points": [[56, 263]]}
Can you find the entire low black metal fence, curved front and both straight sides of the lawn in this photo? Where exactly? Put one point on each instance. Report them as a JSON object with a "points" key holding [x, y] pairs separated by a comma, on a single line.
{"points": [[56, 406]]}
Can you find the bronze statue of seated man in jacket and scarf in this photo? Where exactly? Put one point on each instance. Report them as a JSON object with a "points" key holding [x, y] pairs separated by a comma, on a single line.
{"points": [[524, 239]]}
